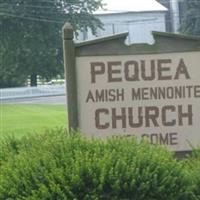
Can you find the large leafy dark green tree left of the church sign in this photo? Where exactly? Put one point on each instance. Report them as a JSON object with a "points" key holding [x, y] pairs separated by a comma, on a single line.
{"points": [[31, 36]]}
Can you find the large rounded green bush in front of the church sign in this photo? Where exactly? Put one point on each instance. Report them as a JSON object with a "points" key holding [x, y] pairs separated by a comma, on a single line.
{"points": [[60, 166]]}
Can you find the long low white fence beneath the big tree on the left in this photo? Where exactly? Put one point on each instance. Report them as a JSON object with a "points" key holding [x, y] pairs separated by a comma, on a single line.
{"points": [[25, 92]]}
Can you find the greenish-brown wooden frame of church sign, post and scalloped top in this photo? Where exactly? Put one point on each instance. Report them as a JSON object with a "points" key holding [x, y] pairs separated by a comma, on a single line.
{"points": [[114, 46]]}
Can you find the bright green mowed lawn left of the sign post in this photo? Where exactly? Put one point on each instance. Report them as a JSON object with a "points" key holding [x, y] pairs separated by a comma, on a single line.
{"points": [[20, 120]]}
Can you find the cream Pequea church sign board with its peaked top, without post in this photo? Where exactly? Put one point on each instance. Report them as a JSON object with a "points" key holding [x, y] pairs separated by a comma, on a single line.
{"points": [[150, 91]]}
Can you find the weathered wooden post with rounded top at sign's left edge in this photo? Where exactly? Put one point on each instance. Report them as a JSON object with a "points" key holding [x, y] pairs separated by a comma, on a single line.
{"points": [[70, 76]]}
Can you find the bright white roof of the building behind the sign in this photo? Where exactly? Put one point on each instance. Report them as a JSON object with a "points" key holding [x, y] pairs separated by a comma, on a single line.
{"points": [[122, 6]]}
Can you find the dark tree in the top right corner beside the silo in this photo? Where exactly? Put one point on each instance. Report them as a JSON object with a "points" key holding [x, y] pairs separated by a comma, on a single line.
{"points": [[191, 18]]}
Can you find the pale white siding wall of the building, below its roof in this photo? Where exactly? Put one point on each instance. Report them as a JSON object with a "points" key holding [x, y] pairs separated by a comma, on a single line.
{"points": [[138, 24]]}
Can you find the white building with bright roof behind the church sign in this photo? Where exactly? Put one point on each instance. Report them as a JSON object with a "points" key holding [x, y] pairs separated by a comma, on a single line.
{"points": [[138, 17]]}
